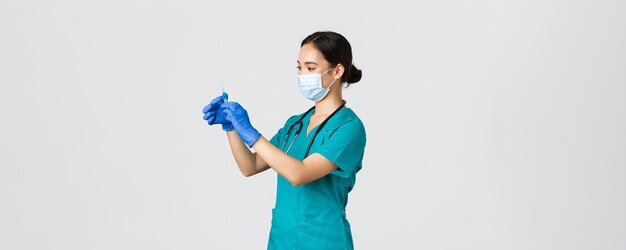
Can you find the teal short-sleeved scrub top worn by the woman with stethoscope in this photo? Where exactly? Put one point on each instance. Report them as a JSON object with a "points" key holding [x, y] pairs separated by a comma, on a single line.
{"points": [[312, 215]]}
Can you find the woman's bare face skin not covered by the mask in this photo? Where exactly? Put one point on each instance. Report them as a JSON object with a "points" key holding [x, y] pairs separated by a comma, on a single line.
{"points": [[311, 61]]}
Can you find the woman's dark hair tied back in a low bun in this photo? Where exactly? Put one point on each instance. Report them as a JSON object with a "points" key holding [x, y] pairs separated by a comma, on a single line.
{"points": [[337, 50]]}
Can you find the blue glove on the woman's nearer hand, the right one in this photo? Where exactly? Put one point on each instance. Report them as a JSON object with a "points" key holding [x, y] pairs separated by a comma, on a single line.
{"points": [[238, 116]]}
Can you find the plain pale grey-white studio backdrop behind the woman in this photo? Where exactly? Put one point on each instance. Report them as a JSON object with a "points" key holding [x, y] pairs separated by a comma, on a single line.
{"points": [[490, 124]]}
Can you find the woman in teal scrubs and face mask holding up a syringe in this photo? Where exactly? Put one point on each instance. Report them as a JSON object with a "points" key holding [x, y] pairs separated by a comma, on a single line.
{"points": [[316, 154]]}
